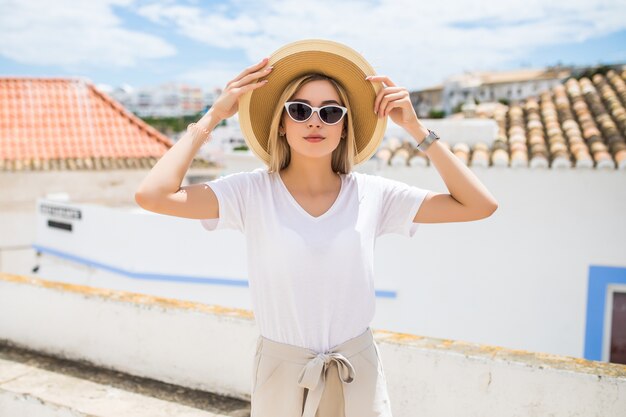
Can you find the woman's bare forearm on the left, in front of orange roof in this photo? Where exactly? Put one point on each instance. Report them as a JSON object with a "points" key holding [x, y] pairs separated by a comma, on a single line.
{"points": [[167, 175]]}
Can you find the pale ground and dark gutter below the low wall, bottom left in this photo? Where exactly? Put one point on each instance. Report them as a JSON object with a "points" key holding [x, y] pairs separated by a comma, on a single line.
{"points": [[35, 384]]}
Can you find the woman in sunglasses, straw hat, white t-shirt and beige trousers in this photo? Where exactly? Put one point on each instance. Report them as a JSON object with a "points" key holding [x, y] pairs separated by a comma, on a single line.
{"points": [[311, 221]]}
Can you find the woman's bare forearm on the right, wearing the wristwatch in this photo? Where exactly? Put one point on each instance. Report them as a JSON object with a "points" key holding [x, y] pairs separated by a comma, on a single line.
{"points": [[462, 183]]}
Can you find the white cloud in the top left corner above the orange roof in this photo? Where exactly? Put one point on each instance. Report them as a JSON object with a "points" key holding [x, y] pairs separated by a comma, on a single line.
{"points": [[74, 35]]}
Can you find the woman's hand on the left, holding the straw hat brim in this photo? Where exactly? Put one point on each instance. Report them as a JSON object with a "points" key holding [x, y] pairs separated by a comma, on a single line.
{"points": [[227, 103]]}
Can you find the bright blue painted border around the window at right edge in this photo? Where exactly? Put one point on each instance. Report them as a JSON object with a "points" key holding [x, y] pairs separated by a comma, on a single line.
{"points": [[599, 279]]}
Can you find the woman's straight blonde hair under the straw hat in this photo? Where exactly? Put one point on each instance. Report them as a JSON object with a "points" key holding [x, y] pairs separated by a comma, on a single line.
{"points": [[278, 147]]}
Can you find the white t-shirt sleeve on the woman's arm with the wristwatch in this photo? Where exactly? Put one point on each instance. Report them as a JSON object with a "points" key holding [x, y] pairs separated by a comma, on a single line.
{"points": [[398, 207]]}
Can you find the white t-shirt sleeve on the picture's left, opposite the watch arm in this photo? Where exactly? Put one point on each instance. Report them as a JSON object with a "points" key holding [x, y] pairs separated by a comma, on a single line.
{"points": [[233, 193]]}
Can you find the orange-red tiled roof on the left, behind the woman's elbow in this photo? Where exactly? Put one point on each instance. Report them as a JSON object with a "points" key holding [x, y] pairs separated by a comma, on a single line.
{"points": [[67, 123]]}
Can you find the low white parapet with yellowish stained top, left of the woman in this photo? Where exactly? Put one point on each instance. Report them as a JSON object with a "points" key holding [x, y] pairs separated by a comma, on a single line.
{"points": [[178, 342]]}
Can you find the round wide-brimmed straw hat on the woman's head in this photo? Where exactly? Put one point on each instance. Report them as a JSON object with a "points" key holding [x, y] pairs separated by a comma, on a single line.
{"points": [[338, 61]]}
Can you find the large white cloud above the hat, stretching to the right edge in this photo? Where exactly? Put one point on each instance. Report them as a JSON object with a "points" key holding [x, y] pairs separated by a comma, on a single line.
{"points": [[414, 43]]}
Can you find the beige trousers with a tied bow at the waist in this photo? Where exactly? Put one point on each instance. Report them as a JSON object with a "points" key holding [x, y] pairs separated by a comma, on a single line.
{"points": [[346, 381]]}
